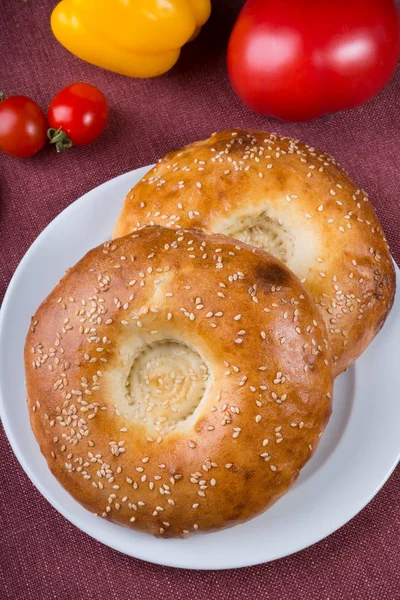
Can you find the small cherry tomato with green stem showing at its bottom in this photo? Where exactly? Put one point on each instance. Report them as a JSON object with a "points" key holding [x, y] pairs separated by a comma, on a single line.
{"points": [[81, 111]]}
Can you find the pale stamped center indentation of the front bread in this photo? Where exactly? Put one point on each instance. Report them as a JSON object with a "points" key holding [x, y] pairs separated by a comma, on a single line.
{"points": [[166, 383]]}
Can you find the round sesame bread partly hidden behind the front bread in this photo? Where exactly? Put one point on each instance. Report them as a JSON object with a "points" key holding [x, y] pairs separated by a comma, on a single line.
{"points": [[291, 200]]}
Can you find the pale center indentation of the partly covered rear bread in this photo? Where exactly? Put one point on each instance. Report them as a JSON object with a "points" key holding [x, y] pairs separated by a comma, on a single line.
{"points": [[265, 233]]}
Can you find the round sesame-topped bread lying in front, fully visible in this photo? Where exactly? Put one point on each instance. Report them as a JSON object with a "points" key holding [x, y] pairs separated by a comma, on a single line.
{"points": [[178, 381]]}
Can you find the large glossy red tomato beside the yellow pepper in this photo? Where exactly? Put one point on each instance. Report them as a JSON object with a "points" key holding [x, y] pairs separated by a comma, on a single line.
{"points": [[299, 59]]}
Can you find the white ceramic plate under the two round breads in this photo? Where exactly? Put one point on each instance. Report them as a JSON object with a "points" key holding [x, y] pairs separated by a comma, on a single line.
{"points": [[358, 451]]}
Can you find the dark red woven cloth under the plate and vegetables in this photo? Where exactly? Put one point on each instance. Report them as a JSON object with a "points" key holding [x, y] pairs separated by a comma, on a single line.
{"points": [[42, 555]]}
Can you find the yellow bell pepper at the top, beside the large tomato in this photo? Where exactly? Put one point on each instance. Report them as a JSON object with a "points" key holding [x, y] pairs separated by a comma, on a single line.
{"points": [[138, 38]]}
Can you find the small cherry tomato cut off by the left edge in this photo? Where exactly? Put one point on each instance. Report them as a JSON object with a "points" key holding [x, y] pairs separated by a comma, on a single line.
{"points": [[23, 127]]}
